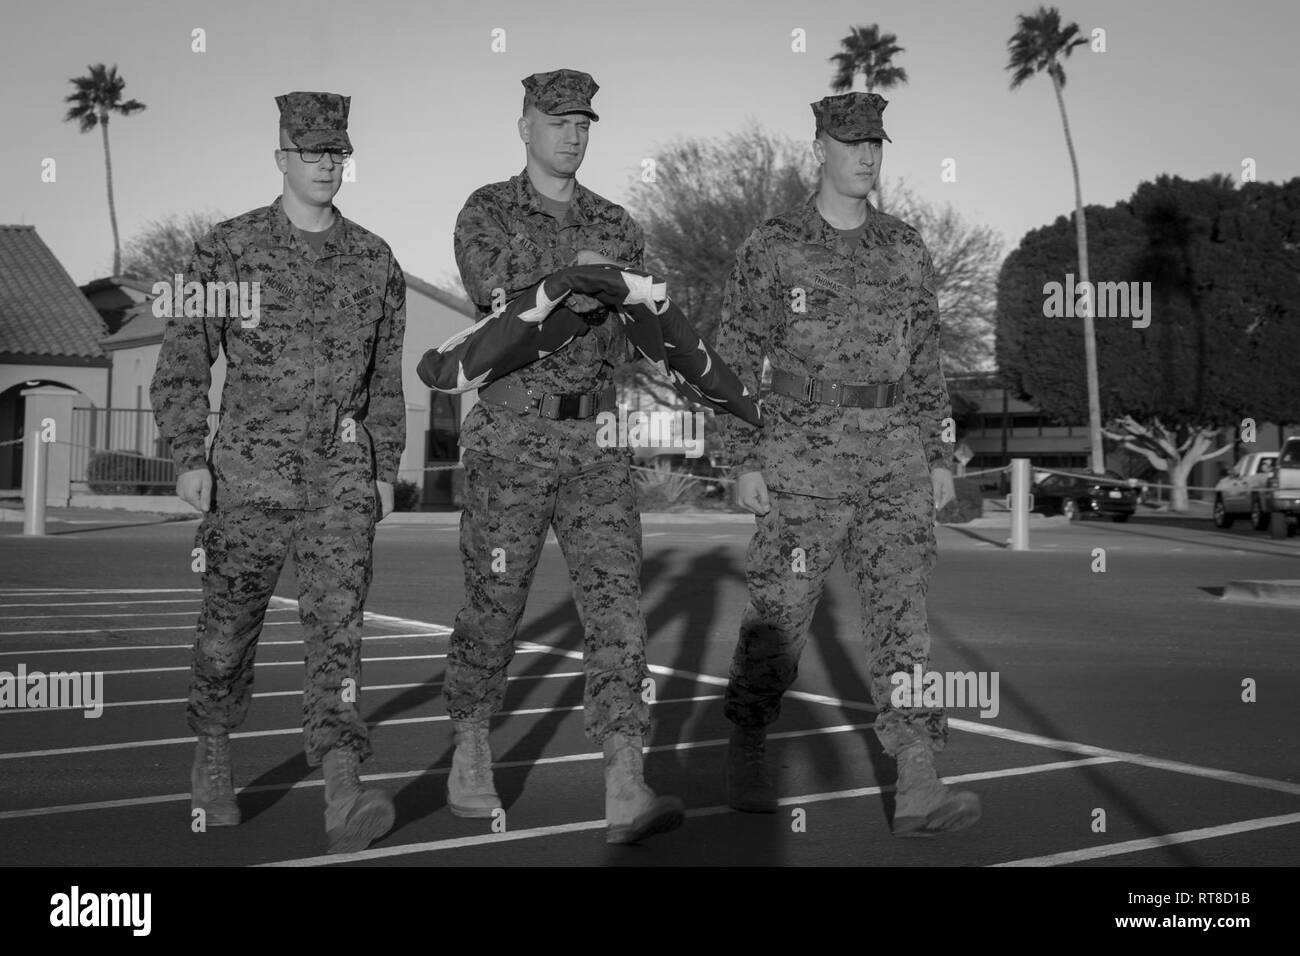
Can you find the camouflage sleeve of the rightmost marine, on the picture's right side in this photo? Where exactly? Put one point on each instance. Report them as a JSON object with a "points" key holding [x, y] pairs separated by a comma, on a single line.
{"points": [[925, 391]]}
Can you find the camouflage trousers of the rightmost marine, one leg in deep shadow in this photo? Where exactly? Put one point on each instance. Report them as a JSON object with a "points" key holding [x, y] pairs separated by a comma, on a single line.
{"points": [[886, 537]]}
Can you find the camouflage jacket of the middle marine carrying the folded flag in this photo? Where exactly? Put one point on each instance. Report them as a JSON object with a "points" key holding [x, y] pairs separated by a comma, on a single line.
{"points": [[505, 243]]}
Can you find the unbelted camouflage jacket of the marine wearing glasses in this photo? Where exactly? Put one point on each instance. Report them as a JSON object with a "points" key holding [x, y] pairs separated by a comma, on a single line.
{"points": [[313, 409]]}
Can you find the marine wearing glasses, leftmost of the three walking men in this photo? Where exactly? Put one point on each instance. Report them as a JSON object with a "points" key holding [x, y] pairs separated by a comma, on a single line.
{"points": [[313, 419]]}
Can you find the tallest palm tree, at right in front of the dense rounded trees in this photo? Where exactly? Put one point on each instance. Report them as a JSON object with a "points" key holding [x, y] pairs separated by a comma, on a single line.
{"points": [[1038, 46]]}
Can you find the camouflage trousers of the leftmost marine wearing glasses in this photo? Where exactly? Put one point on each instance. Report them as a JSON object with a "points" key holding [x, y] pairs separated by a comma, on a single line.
{"points": [[245, 551]]}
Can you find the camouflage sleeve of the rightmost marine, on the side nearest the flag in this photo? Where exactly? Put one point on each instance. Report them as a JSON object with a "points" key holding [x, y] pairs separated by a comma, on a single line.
{"points": [[744, 339]]}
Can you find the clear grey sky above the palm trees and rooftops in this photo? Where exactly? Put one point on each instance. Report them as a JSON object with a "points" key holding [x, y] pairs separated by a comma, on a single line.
{"points": [[1186, 88]]}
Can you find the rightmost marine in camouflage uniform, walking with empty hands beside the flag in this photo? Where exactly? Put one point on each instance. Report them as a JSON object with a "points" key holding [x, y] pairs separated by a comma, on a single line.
{"points": [[852, 452]]}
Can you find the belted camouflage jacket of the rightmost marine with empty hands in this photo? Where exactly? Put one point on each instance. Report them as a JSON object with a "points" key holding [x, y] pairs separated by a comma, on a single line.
{"points": [[817, 306]]}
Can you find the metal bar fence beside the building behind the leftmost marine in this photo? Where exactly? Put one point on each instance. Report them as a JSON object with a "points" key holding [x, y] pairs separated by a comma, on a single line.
{"points": [[120, 452]]}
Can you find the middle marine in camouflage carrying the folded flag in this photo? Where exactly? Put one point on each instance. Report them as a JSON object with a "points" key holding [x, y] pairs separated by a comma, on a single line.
{"points": [[532, 462]]}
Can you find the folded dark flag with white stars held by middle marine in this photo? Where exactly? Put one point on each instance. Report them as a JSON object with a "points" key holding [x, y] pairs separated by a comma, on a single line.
{"points": [[535, 325]]}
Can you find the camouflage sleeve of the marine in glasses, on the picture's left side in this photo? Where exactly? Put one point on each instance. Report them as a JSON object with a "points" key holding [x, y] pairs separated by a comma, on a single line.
{"points": [[184, 375]]}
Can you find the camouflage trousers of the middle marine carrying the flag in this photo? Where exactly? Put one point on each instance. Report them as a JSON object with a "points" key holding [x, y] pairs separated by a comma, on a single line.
{"points": [[508, 512]]}
